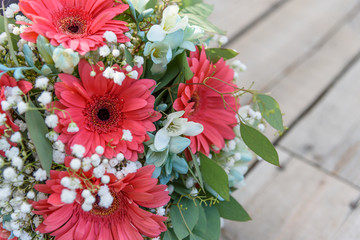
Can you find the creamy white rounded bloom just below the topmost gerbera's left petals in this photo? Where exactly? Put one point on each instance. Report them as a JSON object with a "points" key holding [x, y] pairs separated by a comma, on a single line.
{"points": [[65, 59]]}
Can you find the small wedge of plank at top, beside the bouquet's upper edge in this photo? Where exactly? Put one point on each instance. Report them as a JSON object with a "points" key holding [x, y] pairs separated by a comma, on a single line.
{"points": [[234, 15]]}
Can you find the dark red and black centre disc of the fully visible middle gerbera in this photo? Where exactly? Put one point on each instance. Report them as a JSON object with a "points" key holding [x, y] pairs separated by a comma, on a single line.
{"points": [[103, 114]]}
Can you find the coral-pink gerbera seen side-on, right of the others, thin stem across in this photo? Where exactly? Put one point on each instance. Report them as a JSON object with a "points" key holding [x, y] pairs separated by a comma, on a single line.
{"points": [[204, 105]]}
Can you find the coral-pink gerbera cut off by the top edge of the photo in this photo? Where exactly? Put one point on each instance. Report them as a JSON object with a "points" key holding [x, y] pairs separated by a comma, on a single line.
{"points": [[76, 24]]}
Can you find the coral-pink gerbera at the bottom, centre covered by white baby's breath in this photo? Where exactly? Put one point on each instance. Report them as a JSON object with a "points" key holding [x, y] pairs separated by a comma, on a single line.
{"points": [[123, 220]]}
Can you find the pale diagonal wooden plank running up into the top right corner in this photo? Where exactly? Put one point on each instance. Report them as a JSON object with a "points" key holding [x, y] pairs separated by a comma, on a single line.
{"points": [[288, 35]]}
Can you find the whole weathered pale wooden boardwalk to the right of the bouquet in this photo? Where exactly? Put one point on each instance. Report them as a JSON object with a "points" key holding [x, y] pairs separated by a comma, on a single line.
{"points": [[307, 54]]}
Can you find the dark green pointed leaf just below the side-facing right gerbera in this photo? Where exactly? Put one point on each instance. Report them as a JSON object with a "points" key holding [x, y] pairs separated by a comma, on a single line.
{"points": [[215, 176]]}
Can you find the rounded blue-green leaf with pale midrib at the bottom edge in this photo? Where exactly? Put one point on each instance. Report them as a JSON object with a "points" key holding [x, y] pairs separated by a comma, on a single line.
{"points": [[184, 216]]}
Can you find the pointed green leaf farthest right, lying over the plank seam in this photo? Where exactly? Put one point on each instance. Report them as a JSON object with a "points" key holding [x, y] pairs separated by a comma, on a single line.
{"points": [[259, 144]]}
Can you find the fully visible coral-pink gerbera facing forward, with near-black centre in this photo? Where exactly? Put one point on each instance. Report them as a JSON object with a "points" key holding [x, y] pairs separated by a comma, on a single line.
{"points": [[116, 117]]}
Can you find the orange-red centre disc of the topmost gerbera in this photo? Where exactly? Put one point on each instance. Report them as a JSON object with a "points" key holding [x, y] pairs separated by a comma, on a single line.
{"points": [[72, 21]]}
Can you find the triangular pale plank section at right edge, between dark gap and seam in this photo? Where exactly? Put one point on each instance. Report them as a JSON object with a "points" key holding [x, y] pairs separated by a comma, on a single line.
{"points": [[329, 134]]}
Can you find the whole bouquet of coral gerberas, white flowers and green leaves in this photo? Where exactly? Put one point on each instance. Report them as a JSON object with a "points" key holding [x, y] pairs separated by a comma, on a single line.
{"points": [[118, 122]]}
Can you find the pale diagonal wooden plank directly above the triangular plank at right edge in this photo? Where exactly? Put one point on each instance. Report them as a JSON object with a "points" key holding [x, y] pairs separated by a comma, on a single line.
{"points": [[296, 91]]}
